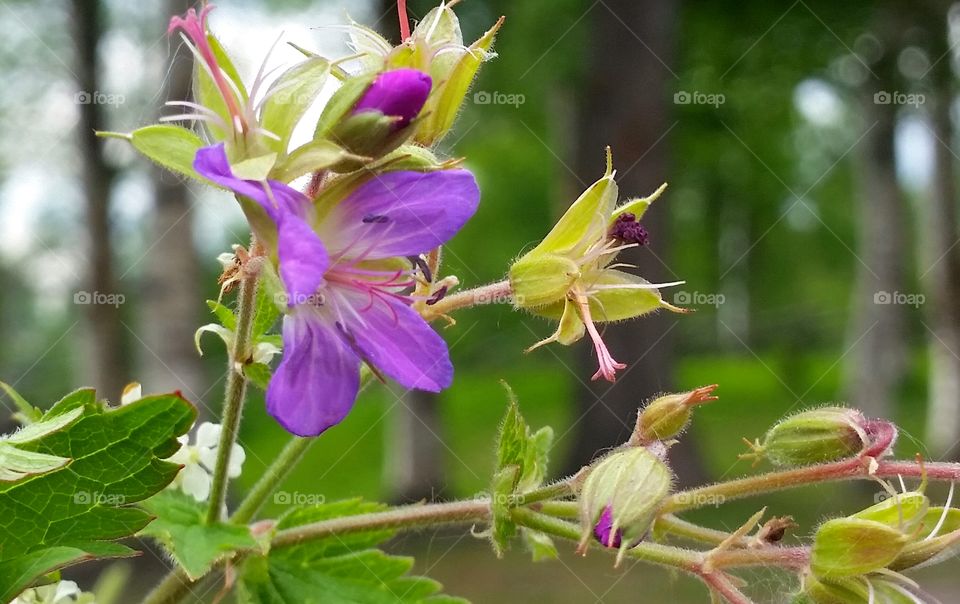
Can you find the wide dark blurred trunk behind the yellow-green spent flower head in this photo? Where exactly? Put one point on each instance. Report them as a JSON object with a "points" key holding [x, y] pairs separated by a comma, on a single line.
{"points": [[624, 104]]}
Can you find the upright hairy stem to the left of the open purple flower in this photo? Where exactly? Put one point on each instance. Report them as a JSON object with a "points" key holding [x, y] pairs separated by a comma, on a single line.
{"points": [[236, 389]]}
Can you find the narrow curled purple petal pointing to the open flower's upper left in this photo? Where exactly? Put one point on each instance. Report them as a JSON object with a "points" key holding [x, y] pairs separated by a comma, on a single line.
{"points": [[212, 164]]}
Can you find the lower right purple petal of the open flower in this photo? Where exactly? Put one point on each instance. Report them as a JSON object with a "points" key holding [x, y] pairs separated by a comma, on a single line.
{"points": [[395, 339]]}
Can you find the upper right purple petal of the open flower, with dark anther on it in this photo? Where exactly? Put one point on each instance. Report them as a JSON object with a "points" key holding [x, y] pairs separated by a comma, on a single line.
{"points": [[401, 213]]}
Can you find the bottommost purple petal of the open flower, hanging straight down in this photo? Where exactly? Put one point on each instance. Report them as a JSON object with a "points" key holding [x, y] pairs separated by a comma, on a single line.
{"points": [[315, 385]]}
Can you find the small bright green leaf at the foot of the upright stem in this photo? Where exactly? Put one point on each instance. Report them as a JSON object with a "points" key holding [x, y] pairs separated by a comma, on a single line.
{"points": [[180, 527]]}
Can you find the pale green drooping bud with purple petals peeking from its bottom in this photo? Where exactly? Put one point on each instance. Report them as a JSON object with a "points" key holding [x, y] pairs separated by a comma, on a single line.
{"points": [[621, 497]]}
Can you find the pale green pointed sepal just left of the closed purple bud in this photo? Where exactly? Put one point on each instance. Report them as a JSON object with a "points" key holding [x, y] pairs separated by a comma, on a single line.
{"points": [[289, 98]]}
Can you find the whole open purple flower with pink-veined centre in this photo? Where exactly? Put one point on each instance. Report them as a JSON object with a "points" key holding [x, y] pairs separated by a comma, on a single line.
{"points": [[346, 292]]}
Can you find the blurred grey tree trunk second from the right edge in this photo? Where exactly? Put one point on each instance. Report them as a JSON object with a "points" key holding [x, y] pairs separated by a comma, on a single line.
{"points": [[879, 355]]}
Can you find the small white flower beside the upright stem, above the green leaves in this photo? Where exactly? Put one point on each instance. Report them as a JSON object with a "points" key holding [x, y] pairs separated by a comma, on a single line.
{"points": [[199, 460]]}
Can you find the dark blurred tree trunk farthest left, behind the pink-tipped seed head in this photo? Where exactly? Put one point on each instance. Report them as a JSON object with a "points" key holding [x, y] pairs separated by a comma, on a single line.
{"points": [[104, 333]]}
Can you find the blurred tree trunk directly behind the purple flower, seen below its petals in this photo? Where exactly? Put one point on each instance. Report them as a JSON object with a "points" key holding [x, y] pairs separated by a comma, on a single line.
{"points": [[413, 468]]}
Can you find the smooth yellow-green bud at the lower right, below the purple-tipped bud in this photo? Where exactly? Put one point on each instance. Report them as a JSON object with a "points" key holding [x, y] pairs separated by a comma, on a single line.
{"points": [[847, 547]]}
